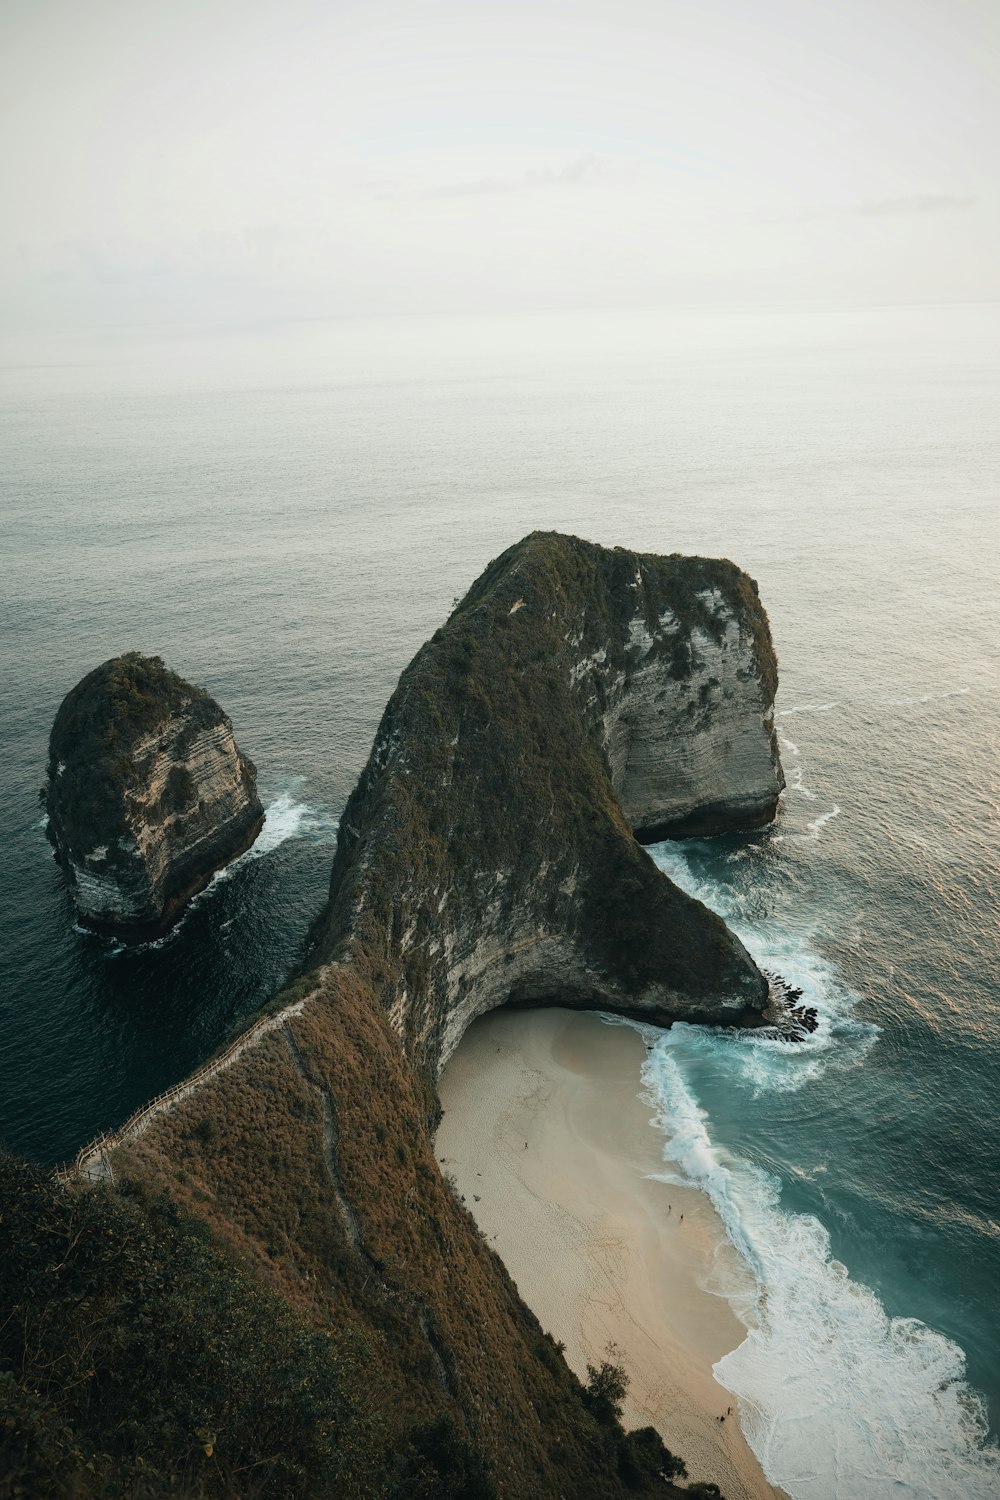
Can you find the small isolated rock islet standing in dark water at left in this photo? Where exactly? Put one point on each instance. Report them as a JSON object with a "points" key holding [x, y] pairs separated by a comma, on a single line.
{"points": [[148, 796]]}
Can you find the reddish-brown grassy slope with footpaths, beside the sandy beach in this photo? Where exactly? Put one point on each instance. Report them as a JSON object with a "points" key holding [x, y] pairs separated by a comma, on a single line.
{"points": [[469, 1397]]}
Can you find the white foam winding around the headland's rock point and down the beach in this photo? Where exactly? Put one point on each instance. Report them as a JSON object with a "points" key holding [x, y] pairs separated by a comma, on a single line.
{"points": [[839, 1400]]}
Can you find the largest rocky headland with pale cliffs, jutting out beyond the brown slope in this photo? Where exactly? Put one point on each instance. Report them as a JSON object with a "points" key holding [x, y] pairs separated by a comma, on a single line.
{"points": [[576, 701]]}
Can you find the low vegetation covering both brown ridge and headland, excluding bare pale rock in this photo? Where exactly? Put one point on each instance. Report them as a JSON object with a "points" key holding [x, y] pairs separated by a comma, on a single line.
{"points": [[310, 1163]]}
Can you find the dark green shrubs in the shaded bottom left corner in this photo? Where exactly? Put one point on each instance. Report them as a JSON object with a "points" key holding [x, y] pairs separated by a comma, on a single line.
{"points": [[134, 1361]]}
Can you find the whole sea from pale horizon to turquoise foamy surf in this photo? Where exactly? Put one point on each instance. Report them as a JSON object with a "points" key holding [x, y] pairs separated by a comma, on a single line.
{"points": [[287, 514]]}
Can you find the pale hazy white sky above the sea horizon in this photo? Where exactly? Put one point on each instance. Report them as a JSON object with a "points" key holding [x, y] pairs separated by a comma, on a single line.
{"points": [[232, 160]]}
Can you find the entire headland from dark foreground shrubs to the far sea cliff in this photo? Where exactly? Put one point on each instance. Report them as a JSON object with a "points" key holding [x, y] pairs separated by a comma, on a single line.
{"points": [[284, 1240]]}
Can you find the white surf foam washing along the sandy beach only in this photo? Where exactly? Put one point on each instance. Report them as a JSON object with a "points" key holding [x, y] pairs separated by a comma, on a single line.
{"points": [[839, 1400]]}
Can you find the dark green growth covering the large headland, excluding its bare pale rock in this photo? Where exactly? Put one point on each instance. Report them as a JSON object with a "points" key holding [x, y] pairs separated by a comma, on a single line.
{"points": [[504, 770]]}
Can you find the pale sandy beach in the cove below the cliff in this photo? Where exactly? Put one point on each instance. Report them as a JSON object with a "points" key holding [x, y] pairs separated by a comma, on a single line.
{"points": [[551, 1144]]}
